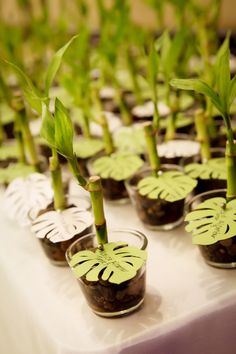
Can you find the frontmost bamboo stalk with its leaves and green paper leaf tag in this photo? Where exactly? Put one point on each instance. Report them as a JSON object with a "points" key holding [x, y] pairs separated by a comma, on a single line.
{"points": [[57, 129]]}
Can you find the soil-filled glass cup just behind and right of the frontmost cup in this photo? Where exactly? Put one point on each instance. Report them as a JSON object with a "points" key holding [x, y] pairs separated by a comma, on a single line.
{"points": [[156, 214]]}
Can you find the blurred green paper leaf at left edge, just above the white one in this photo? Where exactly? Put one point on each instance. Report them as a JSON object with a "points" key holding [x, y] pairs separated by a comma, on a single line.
{"points": [[13, 171]]}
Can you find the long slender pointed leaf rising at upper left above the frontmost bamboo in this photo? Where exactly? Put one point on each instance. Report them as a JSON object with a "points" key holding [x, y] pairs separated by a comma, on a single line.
{"points": [[55, 64]]}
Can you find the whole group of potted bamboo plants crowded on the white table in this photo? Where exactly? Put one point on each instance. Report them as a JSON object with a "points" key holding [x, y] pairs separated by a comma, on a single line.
{"points": [[160, 178]]}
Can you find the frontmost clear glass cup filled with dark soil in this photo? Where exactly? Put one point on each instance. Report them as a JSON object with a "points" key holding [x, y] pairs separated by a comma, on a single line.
{"points": [[107, 299]]}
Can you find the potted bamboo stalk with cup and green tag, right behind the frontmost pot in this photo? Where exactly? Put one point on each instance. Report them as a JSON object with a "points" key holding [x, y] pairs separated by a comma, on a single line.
{"points": [[158, 193]]}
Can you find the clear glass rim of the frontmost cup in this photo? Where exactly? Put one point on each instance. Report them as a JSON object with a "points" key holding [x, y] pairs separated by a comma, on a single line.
{"points": [[131, 231]]}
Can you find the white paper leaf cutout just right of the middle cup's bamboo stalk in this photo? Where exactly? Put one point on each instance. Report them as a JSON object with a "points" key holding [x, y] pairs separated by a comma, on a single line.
{"points": [[178, 148]]}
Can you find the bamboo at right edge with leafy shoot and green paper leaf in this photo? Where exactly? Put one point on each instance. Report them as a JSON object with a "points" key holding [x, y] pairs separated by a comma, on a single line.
{"points": [[213, 220]]}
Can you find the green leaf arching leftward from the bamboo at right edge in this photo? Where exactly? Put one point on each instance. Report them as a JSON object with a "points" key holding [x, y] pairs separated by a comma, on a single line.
{"points": [[200, 87]]}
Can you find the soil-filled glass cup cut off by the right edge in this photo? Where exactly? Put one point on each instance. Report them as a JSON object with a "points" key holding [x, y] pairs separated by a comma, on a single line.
{"points": [[221, 254]]}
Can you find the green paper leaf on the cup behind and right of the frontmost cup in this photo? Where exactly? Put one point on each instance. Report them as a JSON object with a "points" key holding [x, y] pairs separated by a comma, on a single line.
{"points": [[170, 186]]}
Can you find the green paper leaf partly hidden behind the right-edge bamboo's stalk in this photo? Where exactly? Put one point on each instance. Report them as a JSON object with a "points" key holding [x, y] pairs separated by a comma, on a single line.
{"points": [[213, 168]]}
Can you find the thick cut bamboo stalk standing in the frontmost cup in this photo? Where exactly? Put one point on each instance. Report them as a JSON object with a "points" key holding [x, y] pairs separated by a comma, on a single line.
{"points": [[96, 195]]}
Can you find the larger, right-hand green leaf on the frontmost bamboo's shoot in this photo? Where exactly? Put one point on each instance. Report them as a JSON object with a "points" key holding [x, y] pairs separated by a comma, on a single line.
{"points": [[63, 131]]}
